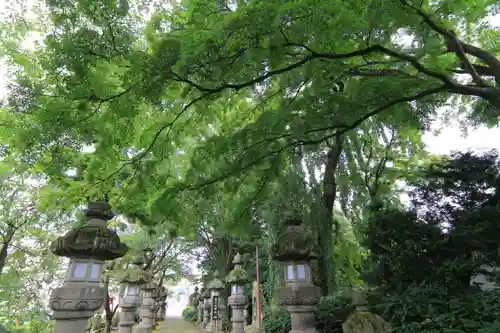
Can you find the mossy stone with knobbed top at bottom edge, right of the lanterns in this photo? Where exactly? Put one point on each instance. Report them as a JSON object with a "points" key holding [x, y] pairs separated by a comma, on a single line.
{"points": [[363, 321]]}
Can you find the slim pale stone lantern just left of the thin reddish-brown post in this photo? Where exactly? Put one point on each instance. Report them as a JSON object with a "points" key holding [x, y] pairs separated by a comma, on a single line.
{"points": [[237, 278]]}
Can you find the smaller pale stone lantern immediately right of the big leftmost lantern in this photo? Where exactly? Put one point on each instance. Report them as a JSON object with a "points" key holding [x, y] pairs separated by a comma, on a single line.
{"points": [[131, 299]]}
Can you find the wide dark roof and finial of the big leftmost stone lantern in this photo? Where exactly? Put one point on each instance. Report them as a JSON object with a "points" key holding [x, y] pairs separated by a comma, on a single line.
{"points": [[93, 239]]}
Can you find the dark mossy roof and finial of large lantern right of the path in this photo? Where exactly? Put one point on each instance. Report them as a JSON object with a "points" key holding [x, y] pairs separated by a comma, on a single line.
{"points": [[293, 243]]}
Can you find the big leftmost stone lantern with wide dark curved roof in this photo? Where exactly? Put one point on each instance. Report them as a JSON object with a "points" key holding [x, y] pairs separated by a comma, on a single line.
{"points": [[88, 247]]}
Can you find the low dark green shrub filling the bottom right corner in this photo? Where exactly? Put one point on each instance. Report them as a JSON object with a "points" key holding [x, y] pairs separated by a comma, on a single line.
{"points": [[432, 307]]}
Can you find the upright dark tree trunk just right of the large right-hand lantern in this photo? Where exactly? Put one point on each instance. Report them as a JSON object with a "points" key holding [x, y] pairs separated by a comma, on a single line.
{"points": [[326, 225]]}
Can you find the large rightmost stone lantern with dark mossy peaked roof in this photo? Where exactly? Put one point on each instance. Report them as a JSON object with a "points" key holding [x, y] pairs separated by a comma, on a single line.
{"points": [[298, 295]]}
